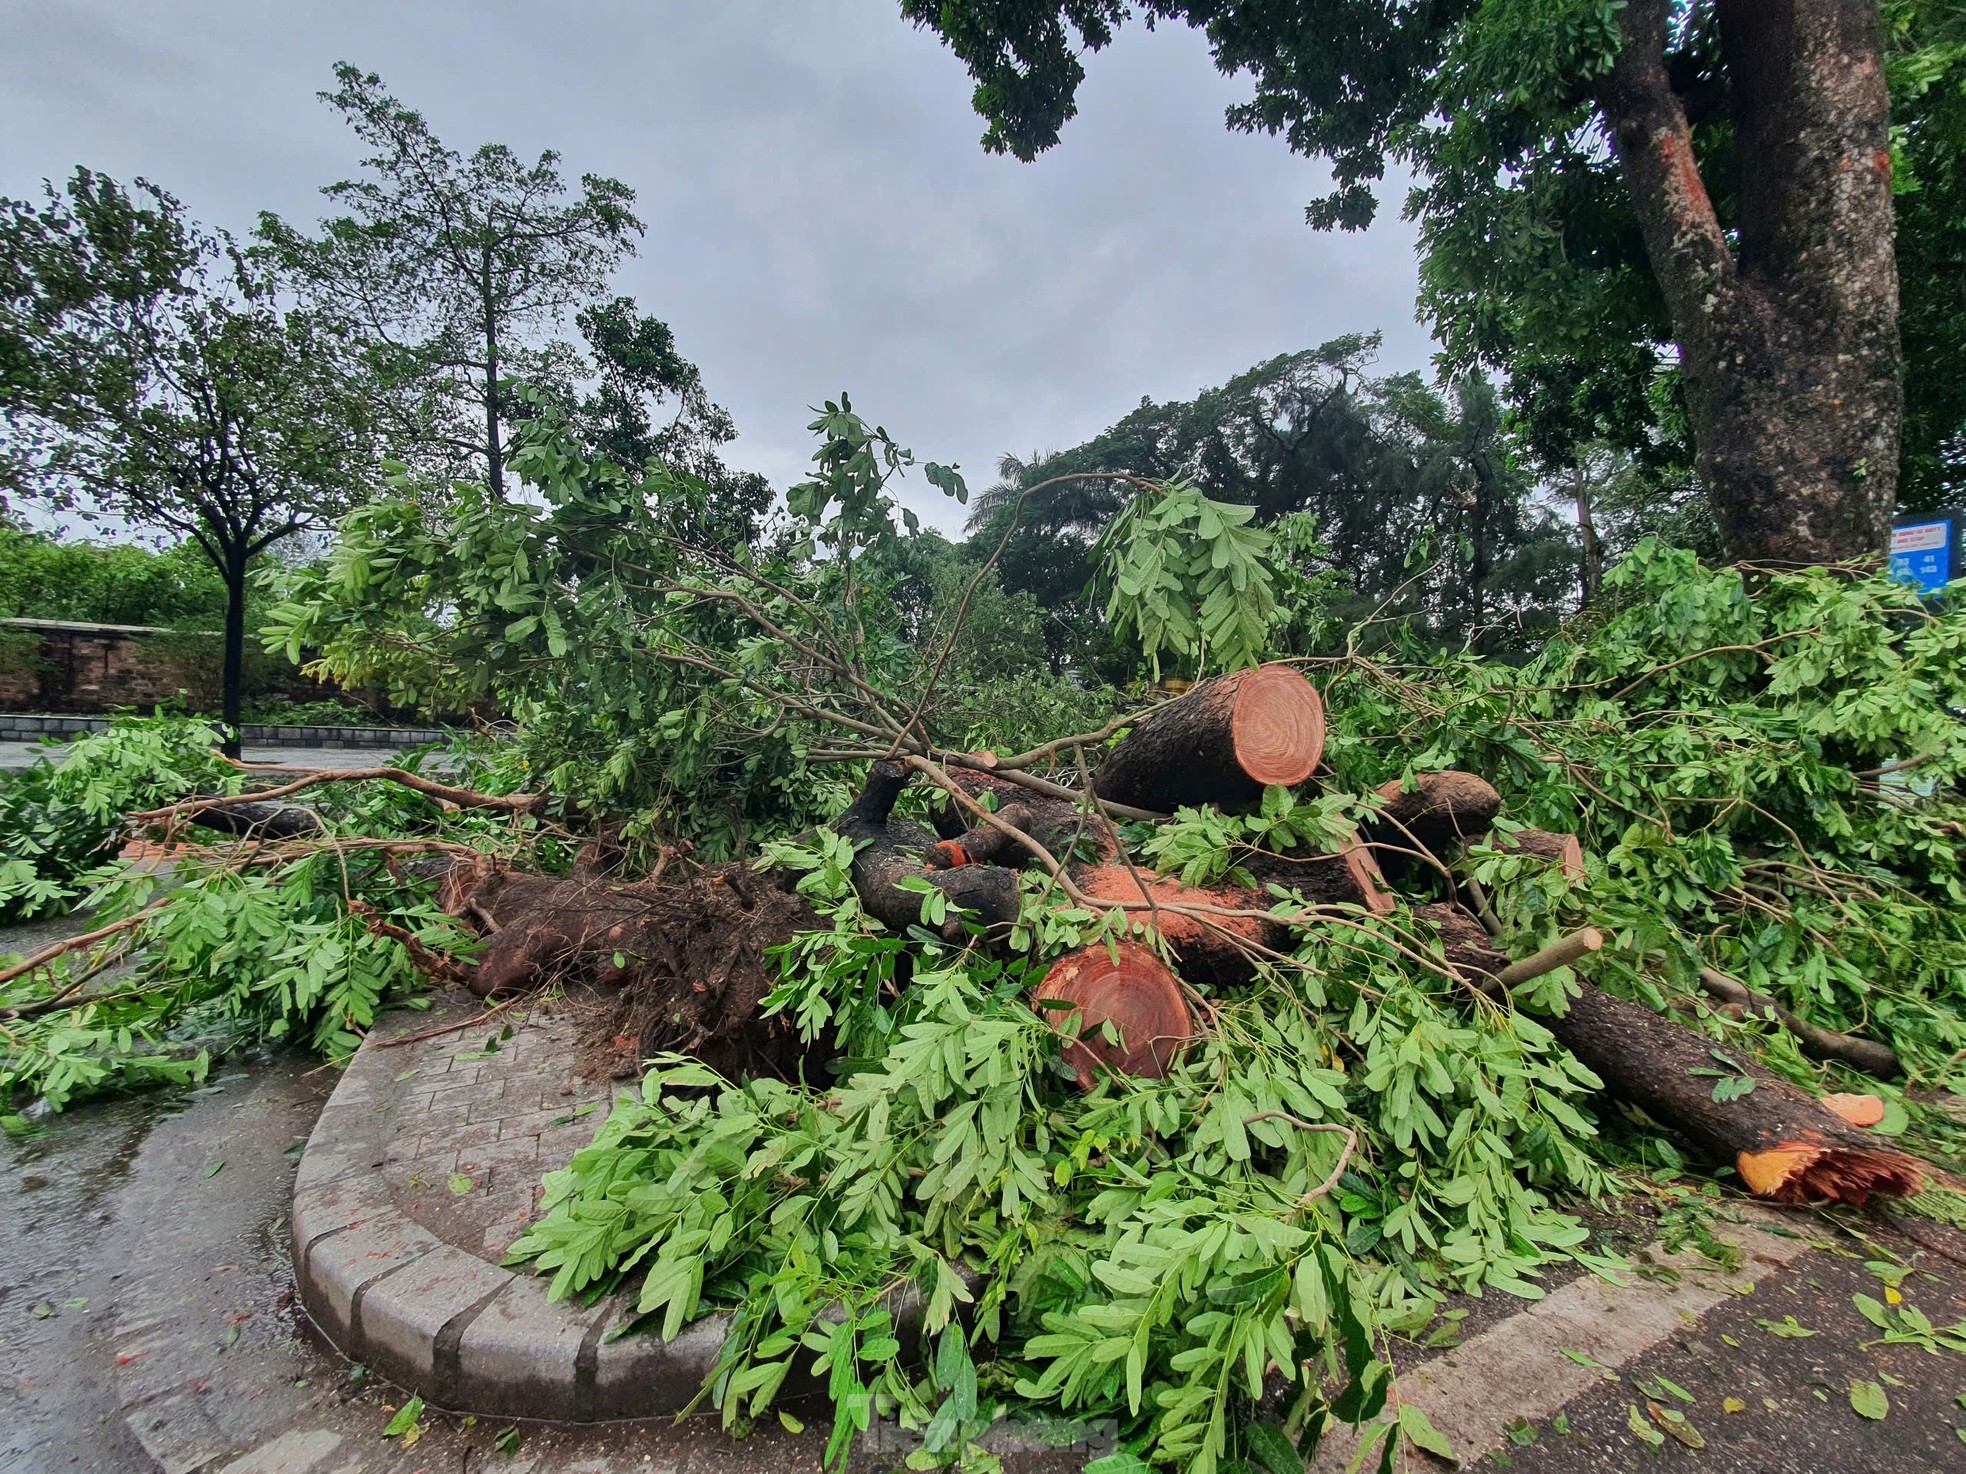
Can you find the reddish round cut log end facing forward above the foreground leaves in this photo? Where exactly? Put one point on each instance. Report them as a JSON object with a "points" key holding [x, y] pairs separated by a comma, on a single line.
{"points": [[1133, 992]]}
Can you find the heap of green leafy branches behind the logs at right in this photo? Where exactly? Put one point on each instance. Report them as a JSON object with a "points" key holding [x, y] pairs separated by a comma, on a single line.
{"points": [[1770, 775]]}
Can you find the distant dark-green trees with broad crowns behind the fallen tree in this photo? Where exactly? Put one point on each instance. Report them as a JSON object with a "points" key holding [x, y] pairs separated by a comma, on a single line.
{"points": [[1415, 502]]}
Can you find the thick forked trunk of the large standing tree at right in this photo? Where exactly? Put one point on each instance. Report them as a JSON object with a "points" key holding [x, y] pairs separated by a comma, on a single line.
{"points": [[1790, 349]]}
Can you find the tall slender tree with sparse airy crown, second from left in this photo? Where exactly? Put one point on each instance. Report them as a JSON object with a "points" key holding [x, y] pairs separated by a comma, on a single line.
{"points": [[457, 268]]}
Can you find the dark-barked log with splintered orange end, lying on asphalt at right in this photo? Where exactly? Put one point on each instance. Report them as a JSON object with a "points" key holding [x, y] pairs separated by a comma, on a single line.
{"points": [[1786, 1145]]}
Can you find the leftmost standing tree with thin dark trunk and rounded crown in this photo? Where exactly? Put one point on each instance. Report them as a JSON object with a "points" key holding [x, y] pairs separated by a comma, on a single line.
{"points": [[148, 374]]}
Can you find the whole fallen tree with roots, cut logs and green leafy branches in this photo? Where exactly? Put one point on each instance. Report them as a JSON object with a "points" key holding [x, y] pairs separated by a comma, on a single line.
{"points": [[1299, 1056]]}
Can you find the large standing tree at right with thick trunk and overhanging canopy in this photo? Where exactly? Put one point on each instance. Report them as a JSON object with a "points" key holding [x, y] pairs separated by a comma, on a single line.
{"points": [[1768, 241]]}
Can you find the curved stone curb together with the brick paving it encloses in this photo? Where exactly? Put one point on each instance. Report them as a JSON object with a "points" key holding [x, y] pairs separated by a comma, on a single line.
{"points": [[404, 1282]]}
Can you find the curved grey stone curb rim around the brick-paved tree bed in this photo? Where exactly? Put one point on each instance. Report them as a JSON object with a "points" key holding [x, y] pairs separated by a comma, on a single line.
{"points": [[437, 1318]]}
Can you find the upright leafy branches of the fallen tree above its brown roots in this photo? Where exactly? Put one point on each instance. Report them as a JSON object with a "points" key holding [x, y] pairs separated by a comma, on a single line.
{"points": [[675, 683]]}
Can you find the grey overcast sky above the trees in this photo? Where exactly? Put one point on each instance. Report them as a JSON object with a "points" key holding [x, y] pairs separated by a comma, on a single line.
{"points": [[821, 215]]}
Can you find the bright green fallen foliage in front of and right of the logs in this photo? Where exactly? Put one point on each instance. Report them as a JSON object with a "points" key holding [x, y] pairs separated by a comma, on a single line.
{"points": [[1183, 1253]]}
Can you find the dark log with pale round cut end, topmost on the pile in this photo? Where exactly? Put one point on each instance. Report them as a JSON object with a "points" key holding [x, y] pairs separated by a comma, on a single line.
{"points": [[1222, 744]]}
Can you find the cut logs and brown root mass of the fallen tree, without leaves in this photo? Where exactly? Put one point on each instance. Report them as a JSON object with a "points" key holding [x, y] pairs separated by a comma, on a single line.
{"points": [[695, 958]]}
